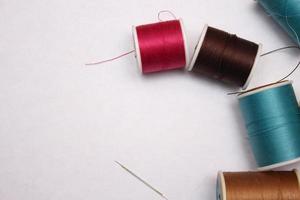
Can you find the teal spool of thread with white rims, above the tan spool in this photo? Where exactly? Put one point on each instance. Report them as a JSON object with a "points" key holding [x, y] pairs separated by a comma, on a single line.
{"points": [[272, 118]]}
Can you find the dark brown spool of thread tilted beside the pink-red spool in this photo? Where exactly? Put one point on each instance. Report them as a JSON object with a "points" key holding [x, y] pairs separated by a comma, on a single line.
{"points": [[225, 57]]}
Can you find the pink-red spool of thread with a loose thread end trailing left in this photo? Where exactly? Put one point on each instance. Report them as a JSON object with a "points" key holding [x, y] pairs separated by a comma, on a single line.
{"points": [[160, 46]]}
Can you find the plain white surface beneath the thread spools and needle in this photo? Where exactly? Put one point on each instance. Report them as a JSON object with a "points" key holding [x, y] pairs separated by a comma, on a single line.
{"points": [[63, 124]]}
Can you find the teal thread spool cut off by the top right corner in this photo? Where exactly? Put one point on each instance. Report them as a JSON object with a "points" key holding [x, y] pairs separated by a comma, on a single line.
{"points": [[286, 13]]}
